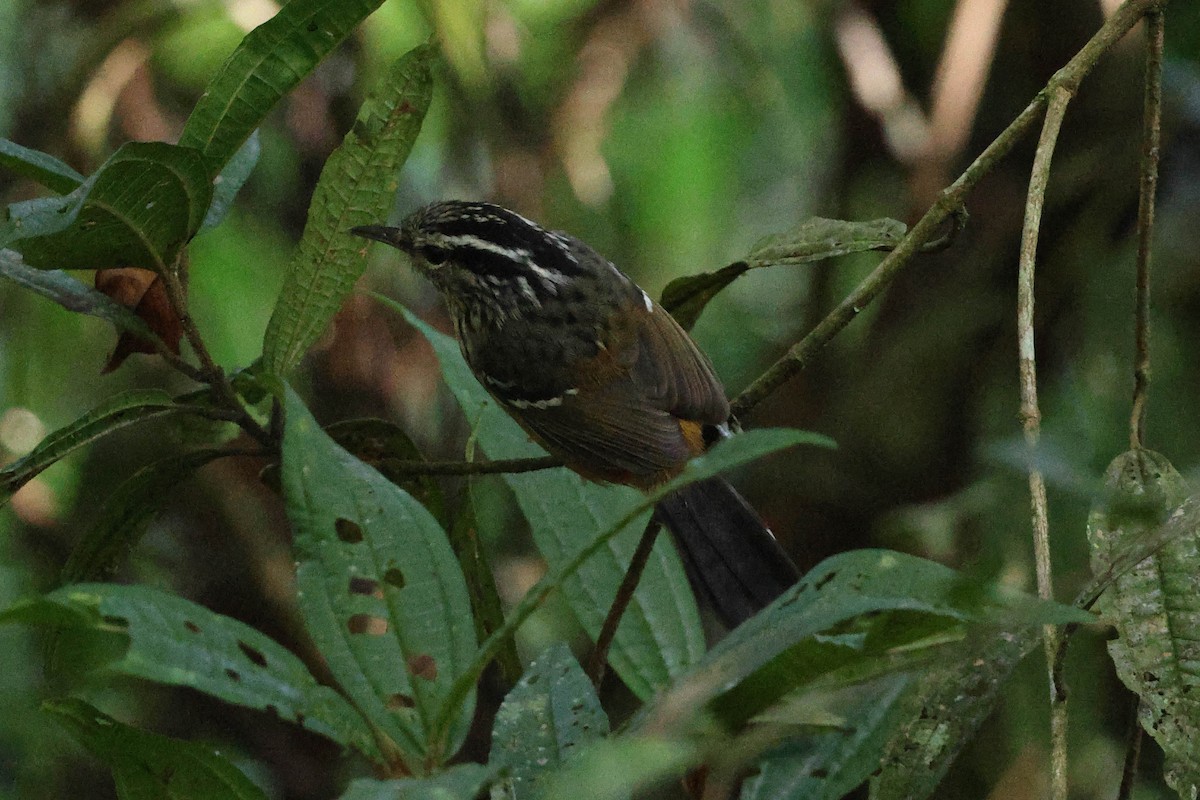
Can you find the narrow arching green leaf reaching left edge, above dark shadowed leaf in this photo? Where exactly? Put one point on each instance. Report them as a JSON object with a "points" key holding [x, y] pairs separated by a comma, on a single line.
{"points": [[119, 412]]}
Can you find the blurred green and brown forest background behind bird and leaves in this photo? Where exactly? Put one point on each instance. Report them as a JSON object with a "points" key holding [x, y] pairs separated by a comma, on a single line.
{"points": [[671, 135]]}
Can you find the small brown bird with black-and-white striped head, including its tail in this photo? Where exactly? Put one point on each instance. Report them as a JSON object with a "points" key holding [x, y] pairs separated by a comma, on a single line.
{"points": [[601, 376]]}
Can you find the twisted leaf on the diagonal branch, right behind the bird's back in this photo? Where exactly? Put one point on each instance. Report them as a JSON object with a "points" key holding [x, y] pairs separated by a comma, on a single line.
{"points": [[814, 240]]}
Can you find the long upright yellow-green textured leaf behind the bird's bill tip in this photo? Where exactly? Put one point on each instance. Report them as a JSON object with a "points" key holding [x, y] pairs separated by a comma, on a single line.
{"points": [[357, 188]]}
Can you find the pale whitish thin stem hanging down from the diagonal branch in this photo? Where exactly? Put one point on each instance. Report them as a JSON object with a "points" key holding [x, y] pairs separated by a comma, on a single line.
{"points": [[1031, 420]]}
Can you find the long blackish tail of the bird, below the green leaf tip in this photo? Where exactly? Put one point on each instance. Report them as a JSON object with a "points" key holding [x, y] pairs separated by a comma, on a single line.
{"points": [[729, 552]]}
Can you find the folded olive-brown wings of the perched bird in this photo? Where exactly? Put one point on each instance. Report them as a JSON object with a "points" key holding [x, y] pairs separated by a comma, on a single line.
{"points": [[638, 419]]}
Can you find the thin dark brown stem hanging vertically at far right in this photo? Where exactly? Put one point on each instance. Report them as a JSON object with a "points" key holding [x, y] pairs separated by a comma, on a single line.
{"points": [[1151, 116]]}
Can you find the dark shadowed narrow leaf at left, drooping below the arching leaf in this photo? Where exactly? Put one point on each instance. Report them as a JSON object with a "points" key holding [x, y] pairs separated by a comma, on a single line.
{"points": [[127, 514]]}
